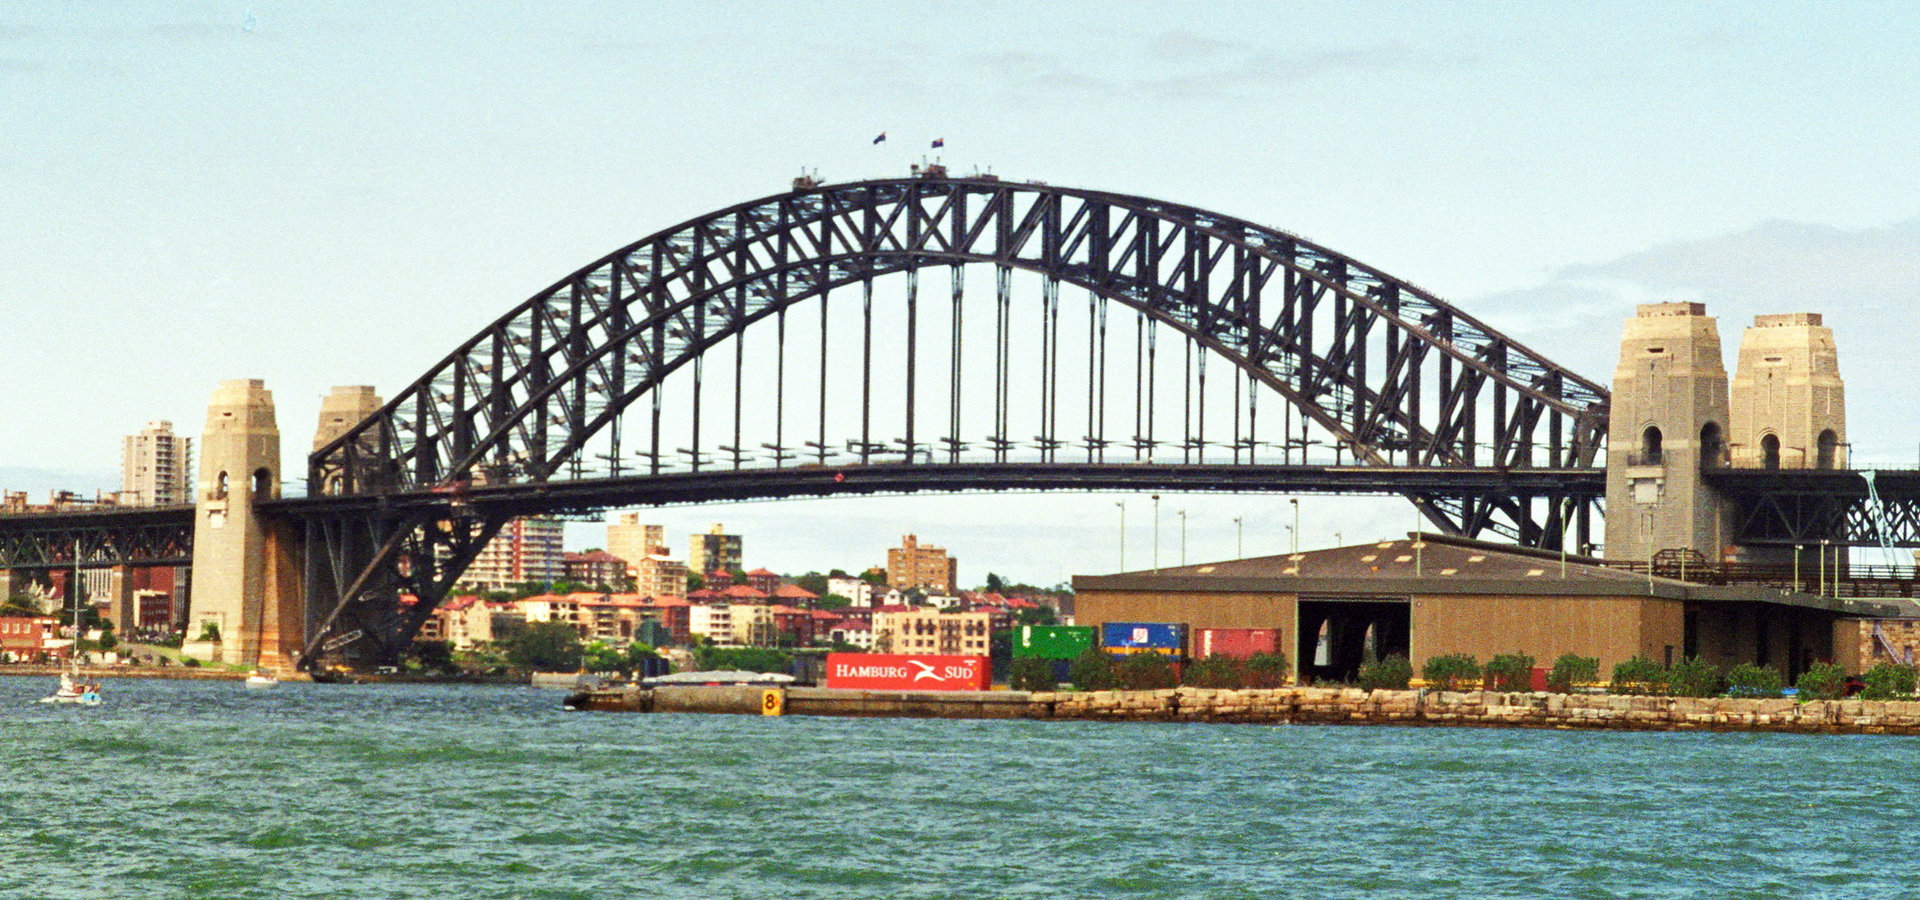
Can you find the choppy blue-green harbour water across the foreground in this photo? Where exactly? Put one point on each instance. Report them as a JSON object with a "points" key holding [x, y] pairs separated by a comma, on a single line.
{"points": [[193, 790]]}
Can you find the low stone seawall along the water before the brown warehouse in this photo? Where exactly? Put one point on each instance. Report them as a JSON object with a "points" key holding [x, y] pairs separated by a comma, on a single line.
{"points": [[1289, 707]]}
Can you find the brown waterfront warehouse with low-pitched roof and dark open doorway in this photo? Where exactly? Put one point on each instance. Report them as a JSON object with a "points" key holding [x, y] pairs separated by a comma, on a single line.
{"points": [[1435, 596]]}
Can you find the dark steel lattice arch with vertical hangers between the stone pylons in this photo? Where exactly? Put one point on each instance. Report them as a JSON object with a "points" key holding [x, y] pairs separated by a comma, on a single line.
{"points": [[1385, 371]]}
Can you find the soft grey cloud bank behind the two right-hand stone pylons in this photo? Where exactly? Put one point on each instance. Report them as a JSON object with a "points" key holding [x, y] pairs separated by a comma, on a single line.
{"points": [[1861, 281]]}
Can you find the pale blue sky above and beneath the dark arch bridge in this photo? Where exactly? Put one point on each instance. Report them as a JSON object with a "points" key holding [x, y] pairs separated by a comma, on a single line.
{"points": [[325, 195]]}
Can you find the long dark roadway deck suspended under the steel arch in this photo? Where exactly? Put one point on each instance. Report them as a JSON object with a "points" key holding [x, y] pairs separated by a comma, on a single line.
{"points": [[711, 486]]}
